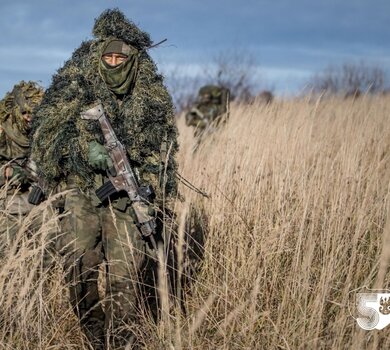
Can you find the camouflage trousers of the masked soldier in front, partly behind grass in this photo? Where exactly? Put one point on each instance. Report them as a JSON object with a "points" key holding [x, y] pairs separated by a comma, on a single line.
{"points": [[109, 311]]}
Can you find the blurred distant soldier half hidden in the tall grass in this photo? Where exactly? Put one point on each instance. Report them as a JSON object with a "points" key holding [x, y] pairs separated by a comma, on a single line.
{"points": [[211, 106]]}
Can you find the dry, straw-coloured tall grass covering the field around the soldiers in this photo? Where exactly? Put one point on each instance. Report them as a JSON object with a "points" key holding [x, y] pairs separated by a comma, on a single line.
{"points": [[296, 225]]}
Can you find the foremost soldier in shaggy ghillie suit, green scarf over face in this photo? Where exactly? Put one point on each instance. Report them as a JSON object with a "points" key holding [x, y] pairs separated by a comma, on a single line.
{"points": [[115, 70]]}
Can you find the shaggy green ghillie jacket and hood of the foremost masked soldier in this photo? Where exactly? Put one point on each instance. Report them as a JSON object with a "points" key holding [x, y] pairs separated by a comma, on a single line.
{"points": [[143, 121]]}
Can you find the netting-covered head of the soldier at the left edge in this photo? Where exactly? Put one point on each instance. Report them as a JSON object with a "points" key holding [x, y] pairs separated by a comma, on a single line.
{"points": [[21, 101]]}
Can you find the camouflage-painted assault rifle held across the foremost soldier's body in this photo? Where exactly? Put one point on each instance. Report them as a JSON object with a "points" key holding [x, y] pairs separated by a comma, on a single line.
{"points": [[122, 177]]}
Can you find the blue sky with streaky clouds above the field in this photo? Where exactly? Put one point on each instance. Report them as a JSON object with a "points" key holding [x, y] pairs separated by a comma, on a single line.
{"points": [[290, 39]]}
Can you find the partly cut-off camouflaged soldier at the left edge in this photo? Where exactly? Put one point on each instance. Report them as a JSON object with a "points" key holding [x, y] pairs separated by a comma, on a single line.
{"points": [[15, 168]]}
